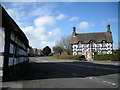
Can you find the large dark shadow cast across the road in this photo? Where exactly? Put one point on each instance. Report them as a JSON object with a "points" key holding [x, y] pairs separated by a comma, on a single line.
{"points": [[66, 70]]}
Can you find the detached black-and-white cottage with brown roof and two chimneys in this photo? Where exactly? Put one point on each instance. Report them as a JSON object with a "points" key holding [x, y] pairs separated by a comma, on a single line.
{"points": [[97, 43]]}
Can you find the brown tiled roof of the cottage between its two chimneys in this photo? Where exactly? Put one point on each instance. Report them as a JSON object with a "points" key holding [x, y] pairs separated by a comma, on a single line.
{"points": [[97, 37]]}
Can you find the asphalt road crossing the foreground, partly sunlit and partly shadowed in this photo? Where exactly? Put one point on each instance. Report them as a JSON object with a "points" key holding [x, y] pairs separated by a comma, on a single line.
{"points": [[45, 72]]}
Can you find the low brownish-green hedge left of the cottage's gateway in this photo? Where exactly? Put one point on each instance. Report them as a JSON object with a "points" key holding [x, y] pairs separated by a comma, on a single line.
{"points": [[74, 57]]}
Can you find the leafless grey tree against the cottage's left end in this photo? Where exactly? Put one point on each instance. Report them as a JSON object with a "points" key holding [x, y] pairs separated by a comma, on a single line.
{"points": [[64, 43]]}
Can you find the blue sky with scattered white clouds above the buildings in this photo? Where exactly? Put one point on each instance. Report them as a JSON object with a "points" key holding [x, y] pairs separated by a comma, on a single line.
{"points": [[44, 23]]}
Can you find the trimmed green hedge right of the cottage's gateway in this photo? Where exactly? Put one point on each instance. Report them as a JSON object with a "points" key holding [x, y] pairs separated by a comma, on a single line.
{"points": [[112, 57]]}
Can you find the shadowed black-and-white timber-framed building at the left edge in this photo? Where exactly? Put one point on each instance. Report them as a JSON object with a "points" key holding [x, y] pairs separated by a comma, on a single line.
{"points": [[13, 47]]}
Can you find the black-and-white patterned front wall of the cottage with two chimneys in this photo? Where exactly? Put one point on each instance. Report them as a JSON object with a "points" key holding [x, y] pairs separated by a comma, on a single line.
{"points": [[98, 48]]}
